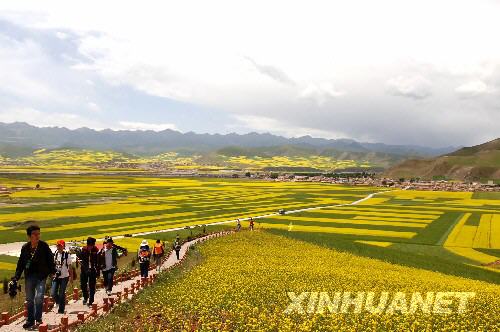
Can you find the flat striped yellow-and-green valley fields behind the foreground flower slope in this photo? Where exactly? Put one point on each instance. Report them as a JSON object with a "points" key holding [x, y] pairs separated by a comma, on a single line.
{"points": [[458, 231]]}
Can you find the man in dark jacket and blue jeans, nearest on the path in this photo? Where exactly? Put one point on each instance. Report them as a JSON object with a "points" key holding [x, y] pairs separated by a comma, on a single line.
{"points": [[37, 263]]}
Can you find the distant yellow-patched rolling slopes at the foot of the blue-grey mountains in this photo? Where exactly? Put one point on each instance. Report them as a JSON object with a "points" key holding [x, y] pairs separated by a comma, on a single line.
{"points": [[83, 160]]}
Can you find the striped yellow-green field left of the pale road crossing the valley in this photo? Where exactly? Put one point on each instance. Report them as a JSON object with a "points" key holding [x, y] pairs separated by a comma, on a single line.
{"points": [[74, 207]]}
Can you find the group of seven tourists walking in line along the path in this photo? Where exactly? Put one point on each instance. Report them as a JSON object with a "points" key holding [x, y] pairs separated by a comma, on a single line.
{"points": [[38, 263]]}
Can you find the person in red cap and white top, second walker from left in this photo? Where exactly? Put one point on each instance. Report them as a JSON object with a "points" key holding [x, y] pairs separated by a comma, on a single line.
{"points": [[64, 273]]}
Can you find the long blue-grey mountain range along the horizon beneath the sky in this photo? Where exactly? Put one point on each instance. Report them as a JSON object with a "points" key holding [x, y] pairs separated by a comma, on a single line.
{"points": [[20, 137]]}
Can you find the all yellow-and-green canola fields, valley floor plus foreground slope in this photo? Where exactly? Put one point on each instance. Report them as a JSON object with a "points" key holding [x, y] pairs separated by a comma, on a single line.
{"points": [[396, 241]]}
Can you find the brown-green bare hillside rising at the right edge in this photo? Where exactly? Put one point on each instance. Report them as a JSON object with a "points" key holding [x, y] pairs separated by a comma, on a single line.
{"points": [[469, 163]]}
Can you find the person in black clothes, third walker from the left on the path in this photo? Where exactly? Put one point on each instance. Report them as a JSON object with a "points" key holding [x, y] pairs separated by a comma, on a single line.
{"points": [[89, 259]]}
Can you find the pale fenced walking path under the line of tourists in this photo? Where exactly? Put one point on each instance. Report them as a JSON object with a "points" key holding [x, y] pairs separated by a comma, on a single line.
{"points": [[73, 308]]}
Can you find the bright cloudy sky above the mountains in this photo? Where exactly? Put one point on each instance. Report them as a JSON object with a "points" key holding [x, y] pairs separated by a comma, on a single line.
{"points": [[401, 72]]}
